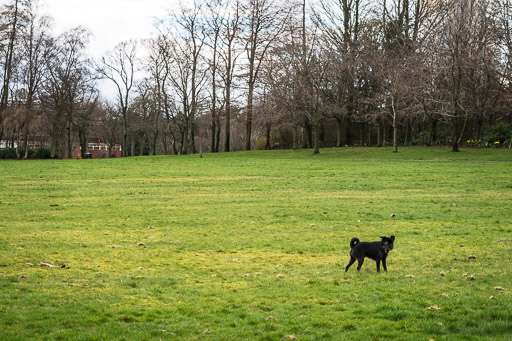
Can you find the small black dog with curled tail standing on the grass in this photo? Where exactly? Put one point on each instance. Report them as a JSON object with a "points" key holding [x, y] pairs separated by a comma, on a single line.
{"points": [[378, 251]]}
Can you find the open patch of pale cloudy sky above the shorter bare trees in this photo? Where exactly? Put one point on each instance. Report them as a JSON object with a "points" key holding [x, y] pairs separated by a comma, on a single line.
{"points": [[109, 21]]}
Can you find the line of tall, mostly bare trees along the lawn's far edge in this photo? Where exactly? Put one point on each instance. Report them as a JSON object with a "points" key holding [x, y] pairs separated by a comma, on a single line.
{"points": [[245, 74]]}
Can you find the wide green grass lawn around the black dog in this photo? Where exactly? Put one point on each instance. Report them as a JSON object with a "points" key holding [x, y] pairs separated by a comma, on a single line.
{"points": [[253, 245]]}
